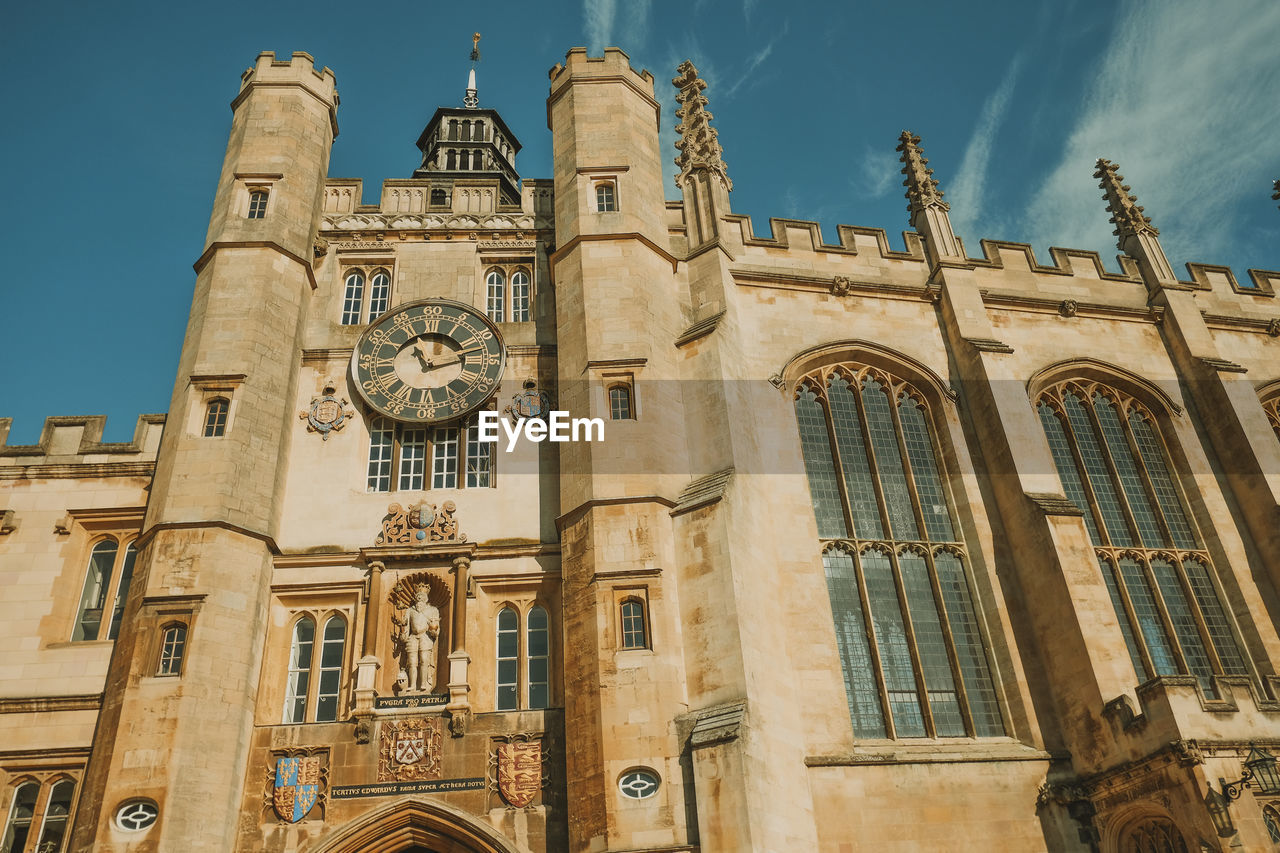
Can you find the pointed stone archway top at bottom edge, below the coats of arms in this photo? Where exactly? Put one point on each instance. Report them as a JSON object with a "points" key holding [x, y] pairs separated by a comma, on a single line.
{"points": [[417, 827]]}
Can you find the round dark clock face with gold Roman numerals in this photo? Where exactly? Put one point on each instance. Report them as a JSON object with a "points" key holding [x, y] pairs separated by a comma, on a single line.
{"points": [[429, 362]]}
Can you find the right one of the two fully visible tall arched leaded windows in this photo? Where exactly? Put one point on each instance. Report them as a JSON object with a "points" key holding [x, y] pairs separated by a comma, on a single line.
{"points": [[1113, 464]]}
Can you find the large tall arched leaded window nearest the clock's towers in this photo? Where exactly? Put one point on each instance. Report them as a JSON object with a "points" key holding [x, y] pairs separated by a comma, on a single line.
{"points": [[911, 645]]}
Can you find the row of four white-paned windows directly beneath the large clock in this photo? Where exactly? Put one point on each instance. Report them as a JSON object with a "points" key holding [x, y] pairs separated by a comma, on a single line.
{"points": [[409, 458]]}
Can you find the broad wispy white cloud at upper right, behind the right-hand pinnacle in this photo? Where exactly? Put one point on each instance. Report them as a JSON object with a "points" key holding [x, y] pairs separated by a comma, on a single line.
{"points": [[1185, 102]]}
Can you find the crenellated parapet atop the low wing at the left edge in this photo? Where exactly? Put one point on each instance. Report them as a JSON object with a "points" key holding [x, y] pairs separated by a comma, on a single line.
{"points": [[77, 440]]}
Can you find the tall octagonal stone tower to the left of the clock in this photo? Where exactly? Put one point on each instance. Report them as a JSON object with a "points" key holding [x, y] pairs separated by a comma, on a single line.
{"points": [[217, 499]]}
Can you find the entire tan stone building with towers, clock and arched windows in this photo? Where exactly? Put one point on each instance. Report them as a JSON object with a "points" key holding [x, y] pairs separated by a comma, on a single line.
{"points": [[880, 550]]}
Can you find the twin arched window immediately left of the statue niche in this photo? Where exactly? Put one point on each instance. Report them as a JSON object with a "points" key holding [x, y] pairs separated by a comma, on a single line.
{"points": [[316, 681]]}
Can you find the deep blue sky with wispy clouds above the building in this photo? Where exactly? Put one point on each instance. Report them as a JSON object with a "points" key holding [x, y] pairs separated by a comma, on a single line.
{"points": [[117, 120]]}
